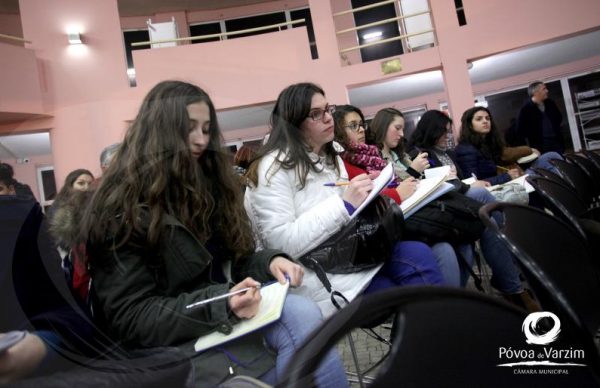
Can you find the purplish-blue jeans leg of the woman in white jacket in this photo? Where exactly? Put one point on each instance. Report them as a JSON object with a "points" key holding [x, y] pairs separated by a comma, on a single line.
{"points": [[412, 263]]}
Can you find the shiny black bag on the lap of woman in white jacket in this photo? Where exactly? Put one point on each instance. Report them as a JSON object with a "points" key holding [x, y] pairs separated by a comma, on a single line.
{"points": [[365, 242]]}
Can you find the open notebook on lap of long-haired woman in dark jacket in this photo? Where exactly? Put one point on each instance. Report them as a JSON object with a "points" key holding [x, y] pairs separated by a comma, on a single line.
{"points": [[271, 304]]}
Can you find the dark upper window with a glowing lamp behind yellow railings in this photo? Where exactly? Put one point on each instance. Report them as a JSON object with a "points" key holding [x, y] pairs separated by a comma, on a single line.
{"points": [[376, 33]]}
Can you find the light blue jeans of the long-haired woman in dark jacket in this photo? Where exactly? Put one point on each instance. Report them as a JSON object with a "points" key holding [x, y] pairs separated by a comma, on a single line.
{"points": [[299, 318]]}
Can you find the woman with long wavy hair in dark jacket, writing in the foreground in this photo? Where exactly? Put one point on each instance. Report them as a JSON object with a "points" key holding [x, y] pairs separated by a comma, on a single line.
{"points": [[166, 228]]}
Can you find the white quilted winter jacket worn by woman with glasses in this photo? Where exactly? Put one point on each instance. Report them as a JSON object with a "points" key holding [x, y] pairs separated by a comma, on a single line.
{"points": [[297, 220]]}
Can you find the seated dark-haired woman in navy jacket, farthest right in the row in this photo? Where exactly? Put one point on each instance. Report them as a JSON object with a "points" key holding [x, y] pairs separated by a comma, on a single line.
{"points": [[481, 150]]}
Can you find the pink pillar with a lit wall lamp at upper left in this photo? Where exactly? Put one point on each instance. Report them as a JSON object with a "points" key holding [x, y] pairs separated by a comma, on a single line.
{"points": [[84, 86]]}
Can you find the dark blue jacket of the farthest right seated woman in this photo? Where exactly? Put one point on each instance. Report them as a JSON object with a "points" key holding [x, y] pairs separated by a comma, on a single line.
{"points": [[473, 161]]}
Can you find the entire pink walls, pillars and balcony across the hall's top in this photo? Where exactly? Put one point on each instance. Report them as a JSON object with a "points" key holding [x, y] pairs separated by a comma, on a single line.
{"points": [[85, 88]]}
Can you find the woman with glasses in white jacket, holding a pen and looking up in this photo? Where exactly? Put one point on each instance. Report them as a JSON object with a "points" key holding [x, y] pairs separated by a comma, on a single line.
{"points": [[291, 208]]}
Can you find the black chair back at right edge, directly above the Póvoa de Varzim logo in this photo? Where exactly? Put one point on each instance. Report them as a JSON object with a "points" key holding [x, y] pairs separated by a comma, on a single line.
{"points": [[556, 263]]}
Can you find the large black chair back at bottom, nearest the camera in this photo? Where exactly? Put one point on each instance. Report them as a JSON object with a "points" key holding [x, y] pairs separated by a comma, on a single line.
{"points": [[443, 337]]}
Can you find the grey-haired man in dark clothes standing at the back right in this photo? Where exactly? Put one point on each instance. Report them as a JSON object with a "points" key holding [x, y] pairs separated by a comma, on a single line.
{"points": [[538, 122]]}
